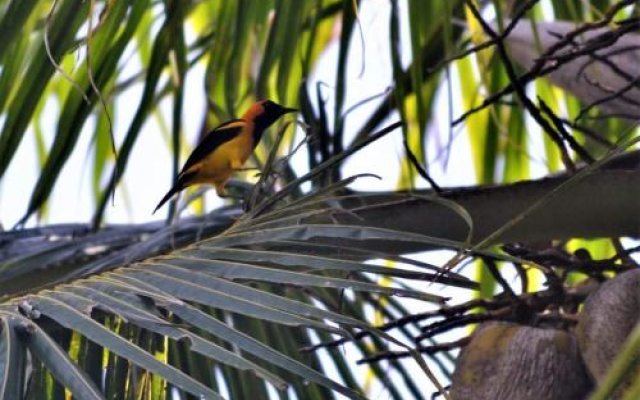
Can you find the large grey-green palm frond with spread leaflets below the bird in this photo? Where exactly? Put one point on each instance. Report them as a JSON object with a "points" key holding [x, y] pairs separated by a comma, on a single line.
{"points": [[153, 294]]}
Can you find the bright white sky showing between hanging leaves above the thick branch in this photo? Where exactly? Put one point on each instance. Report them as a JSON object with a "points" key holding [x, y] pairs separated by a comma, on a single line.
{"points": [[148, 174]]}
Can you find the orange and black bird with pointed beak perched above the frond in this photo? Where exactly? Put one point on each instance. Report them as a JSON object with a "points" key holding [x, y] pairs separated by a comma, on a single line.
{"points": [[225, 149]]}
